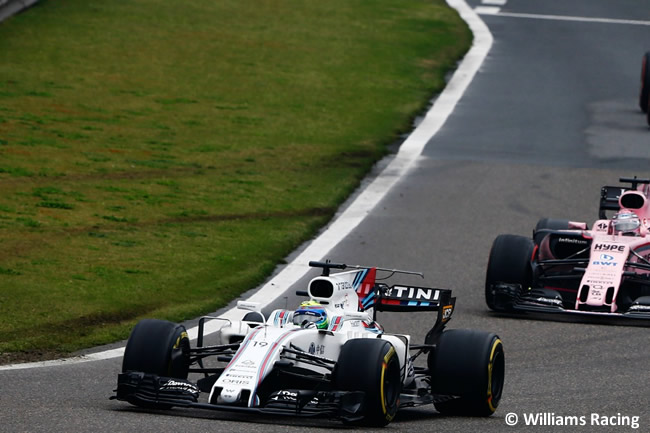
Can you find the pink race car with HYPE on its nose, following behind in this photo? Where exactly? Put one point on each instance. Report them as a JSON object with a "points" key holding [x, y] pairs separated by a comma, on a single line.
{"points": [[566, 267]]}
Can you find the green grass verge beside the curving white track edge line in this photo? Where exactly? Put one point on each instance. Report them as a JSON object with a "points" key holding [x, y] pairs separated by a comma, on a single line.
{"points": [[159, 158]]}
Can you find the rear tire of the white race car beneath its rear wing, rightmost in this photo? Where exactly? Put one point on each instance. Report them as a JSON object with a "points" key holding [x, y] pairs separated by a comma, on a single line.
{"points": [[469, 365]]}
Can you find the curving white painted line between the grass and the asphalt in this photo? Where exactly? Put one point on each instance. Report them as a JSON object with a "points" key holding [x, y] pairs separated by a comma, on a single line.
{"points": [[408, 153]]}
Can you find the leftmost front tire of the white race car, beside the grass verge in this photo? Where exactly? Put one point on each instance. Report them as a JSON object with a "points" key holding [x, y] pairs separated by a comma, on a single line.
{"points": [[158, 347]]}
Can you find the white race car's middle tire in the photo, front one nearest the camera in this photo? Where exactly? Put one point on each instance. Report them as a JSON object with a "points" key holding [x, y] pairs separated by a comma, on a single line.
{"points": [[371, 365]]}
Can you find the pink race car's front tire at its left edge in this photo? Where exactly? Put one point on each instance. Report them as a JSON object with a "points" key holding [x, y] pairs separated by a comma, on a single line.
{"points": [[509, 262]]}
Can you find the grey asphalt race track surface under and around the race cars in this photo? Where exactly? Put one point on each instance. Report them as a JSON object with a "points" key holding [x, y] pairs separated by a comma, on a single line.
{"points": [[551, 116]]}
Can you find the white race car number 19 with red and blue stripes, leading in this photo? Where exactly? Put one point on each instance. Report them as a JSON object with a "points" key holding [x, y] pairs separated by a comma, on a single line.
{"points": [[327, 358]]}
